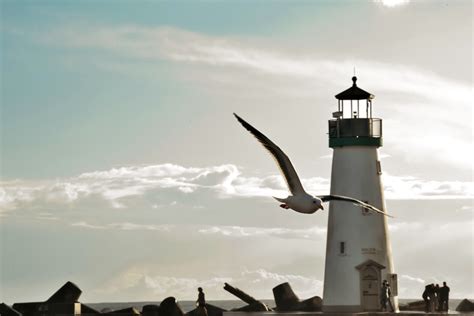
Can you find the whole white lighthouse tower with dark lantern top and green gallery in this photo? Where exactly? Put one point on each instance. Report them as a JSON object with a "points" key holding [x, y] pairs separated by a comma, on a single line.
{"points": [[358, 251]]}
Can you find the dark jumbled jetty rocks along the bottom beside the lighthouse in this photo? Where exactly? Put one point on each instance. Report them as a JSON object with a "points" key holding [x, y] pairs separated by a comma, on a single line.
{"points": [[65, 302]]}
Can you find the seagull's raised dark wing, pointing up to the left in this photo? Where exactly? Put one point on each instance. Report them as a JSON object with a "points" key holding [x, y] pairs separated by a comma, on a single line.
{"points": [[282, 159]]}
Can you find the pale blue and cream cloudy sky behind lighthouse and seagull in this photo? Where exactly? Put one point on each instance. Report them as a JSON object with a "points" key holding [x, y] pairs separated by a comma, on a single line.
{"points": [[124, 171]]}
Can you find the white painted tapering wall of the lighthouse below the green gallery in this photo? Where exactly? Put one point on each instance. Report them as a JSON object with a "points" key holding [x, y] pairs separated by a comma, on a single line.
{"points": [[354, 174]]}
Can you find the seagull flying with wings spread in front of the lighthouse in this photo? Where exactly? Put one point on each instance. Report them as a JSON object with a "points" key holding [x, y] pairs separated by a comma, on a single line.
{"points": [[299, 201]]}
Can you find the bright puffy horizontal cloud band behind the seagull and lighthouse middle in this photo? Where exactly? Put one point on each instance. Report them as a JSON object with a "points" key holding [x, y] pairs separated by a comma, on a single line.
{"points": [[128, 186]]}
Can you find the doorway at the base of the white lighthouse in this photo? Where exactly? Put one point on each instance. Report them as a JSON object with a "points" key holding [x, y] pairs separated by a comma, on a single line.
{"points": [[370, 284]]}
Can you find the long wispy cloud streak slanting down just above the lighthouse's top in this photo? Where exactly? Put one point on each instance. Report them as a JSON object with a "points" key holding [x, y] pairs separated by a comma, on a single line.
{"points": [[191, 47]]}
